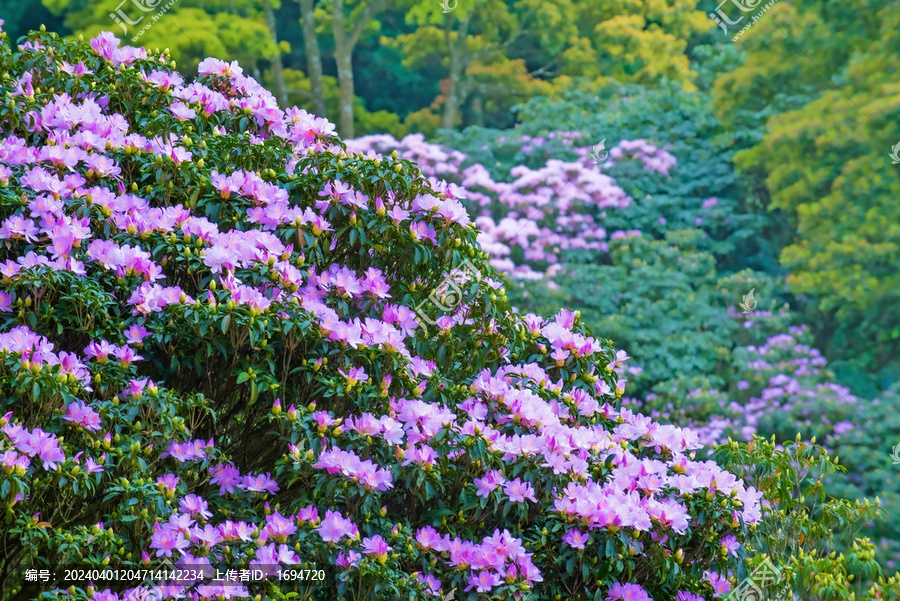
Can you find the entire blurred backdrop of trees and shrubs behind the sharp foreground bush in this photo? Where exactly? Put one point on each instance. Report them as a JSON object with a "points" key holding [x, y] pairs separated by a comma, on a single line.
{"points": [[758, 170]]}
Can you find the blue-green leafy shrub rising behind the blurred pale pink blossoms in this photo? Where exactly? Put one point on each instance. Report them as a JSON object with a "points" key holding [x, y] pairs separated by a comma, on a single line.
{"points": [[702, 190]]}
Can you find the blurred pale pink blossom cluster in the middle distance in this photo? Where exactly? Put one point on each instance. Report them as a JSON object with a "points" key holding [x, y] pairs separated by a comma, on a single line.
{"points": [[540, 217]]}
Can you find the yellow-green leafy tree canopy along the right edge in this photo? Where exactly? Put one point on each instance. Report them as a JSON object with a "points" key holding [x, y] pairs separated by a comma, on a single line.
{"points": [[822, 89]]}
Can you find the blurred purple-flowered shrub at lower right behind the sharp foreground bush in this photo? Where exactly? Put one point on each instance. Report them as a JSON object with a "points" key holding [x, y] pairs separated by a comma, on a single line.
{"points": [[782, 388]]}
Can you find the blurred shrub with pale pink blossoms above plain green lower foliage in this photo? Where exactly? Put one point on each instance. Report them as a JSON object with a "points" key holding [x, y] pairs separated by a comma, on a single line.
{"points": [[557, 227]]}
